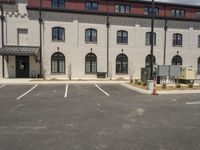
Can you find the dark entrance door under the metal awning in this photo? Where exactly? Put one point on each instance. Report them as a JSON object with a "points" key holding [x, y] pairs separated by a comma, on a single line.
{"points": [[22, 66]]}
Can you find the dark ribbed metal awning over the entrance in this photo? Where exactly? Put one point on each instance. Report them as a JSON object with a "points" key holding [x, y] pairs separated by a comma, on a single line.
{"points": [[19, 51]]}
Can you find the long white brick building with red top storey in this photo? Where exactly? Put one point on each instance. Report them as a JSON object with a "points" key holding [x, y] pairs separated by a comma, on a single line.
{"points": [[78, 38]]}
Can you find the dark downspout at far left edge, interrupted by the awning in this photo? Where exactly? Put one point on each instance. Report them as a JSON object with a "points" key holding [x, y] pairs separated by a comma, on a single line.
{"points": [[2, 37]]}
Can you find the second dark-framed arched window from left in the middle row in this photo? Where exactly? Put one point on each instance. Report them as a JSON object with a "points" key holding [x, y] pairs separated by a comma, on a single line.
{"points": [[91, 35]]}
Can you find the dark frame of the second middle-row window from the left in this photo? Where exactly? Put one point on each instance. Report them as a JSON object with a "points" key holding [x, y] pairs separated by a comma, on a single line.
{"points": [[91, 39]]}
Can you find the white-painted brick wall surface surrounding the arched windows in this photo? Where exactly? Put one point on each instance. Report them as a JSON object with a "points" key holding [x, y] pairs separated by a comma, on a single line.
{"points": [[75, 49]]}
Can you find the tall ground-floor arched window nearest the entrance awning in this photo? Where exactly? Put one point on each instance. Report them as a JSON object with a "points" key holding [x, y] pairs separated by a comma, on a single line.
{"points": [[57, 63]]}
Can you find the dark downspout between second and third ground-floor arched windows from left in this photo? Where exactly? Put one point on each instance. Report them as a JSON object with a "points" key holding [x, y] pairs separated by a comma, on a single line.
{"points": [[107, 26]]}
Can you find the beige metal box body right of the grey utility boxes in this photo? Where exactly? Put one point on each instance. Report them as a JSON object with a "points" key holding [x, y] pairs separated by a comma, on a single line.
{"points": [[188, 73]]}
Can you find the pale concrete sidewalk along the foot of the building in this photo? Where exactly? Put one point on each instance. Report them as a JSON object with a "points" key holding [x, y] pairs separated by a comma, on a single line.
{"points": [[41, 81]]}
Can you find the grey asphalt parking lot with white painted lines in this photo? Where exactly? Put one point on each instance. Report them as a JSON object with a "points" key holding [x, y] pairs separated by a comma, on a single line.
{"points": [[96, 117]]}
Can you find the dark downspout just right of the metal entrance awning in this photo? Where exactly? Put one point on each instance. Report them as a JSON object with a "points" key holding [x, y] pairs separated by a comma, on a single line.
{"points": [[40, 23]]}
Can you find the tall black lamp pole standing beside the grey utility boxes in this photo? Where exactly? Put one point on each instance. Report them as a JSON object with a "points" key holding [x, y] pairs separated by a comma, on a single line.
{"points": [[152, 41]]}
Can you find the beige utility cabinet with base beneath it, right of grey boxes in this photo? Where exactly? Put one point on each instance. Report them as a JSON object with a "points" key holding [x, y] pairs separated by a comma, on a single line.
{"points": [[187, 74]]}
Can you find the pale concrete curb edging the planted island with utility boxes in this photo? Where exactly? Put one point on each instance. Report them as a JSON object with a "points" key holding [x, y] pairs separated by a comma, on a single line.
{"points": [[161, 92]]}
